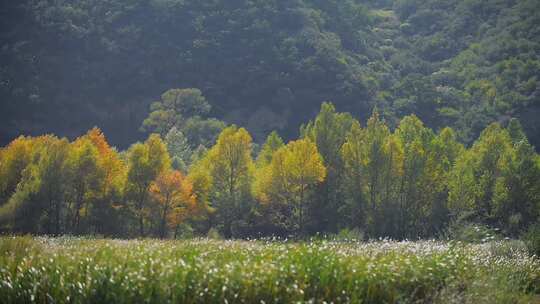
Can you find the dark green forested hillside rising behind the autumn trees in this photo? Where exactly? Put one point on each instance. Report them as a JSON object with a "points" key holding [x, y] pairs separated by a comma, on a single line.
{"points": [[66, 66]]}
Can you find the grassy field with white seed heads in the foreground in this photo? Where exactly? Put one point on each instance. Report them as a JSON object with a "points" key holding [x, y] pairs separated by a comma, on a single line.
{"points": [[69, 270]]}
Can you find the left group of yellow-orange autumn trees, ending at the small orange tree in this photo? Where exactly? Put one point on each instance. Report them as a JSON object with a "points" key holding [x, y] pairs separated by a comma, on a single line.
{"points": [[49, 185]]}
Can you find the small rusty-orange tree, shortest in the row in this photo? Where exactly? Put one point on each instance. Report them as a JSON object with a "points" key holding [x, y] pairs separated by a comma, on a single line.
{"points": [[174, 194]]}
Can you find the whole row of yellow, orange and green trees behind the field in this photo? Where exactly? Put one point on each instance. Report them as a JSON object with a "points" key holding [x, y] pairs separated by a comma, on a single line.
{"points": [[406, 183]]}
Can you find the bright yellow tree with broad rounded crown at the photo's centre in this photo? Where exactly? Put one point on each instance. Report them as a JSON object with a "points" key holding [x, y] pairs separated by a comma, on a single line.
{"points": [[293, 171]]}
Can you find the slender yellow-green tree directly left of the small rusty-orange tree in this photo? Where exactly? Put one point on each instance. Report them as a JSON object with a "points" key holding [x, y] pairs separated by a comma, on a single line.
{"points": [[145, 162]]}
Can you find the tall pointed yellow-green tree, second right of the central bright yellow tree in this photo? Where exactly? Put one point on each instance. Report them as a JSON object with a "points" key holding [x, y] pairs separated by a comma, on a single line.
{"points": [[373, 169]]}
